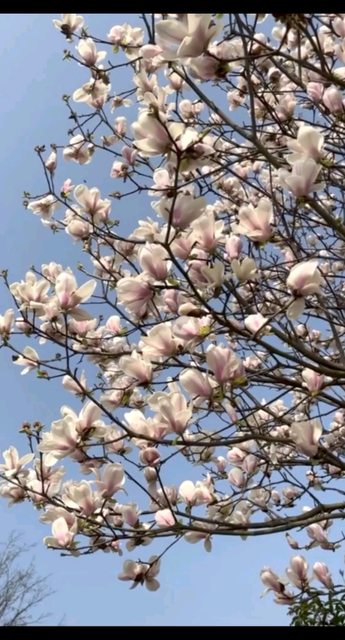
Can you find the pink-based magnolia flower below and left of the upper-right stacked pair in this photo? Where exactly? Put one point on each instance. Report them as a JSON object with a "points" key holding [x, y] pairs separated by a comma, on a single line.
{"points": [[255, 223]]}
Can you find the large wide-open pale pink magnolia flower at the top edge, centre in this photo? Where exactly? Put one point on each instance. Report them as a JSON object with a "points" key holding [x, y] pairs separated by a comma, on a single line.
{"points": [[192, 35]]}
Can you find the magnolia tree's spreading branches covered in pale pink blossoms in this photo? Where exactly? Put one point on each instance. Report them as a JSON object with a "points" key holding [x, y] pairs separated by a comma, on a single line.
{"points": [[231, 292]]}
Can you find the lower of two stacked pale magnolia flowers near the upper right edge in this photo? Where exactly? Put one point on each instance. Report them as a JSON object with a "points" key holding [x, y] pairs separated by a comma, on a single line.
{"points": [[302, 180]]}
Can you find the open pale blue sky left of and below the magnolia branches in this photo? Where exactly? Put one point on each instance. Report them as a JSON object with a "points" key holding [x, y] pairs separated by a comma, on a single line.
{"points": [[220, 588]]}
